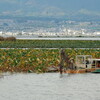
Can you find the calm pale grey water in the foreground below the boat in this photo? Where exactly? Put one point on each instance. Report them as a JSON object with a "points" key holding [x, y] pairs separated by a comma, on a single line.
{"points": [[49, 86]]}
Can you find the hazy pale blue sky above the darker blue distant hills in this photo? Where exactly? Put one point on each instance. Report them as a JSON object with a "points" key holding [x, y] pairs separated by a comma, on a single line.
{"points": [[56, 8]]}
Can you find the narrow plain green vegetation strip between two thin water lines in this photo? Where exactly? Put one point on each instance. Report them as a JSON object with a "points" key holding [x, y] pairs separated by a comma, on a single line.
{"points": [[50, 44]]}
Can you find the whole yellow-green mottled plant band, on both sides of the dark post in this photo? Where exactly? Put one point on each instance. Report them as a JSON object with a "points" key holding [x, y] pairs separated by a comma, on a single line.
{"points": [[37, 60]]}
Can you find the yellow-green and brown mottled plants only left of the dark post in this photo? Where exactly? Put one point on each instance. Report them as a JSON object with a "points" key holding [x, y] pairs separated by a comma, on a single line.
{"points": [[30, 59]]}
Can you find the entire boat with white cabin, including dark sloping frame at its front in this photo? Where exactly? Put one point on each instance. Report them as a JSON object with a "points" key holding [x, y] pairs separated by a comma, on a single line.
{"points": [[83, 64]]}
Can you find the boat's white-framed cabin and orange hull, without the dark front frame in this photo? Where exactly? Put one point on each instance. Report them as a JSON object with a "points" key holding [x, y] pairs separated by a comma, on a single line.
{"points": [[86, 64]]}
